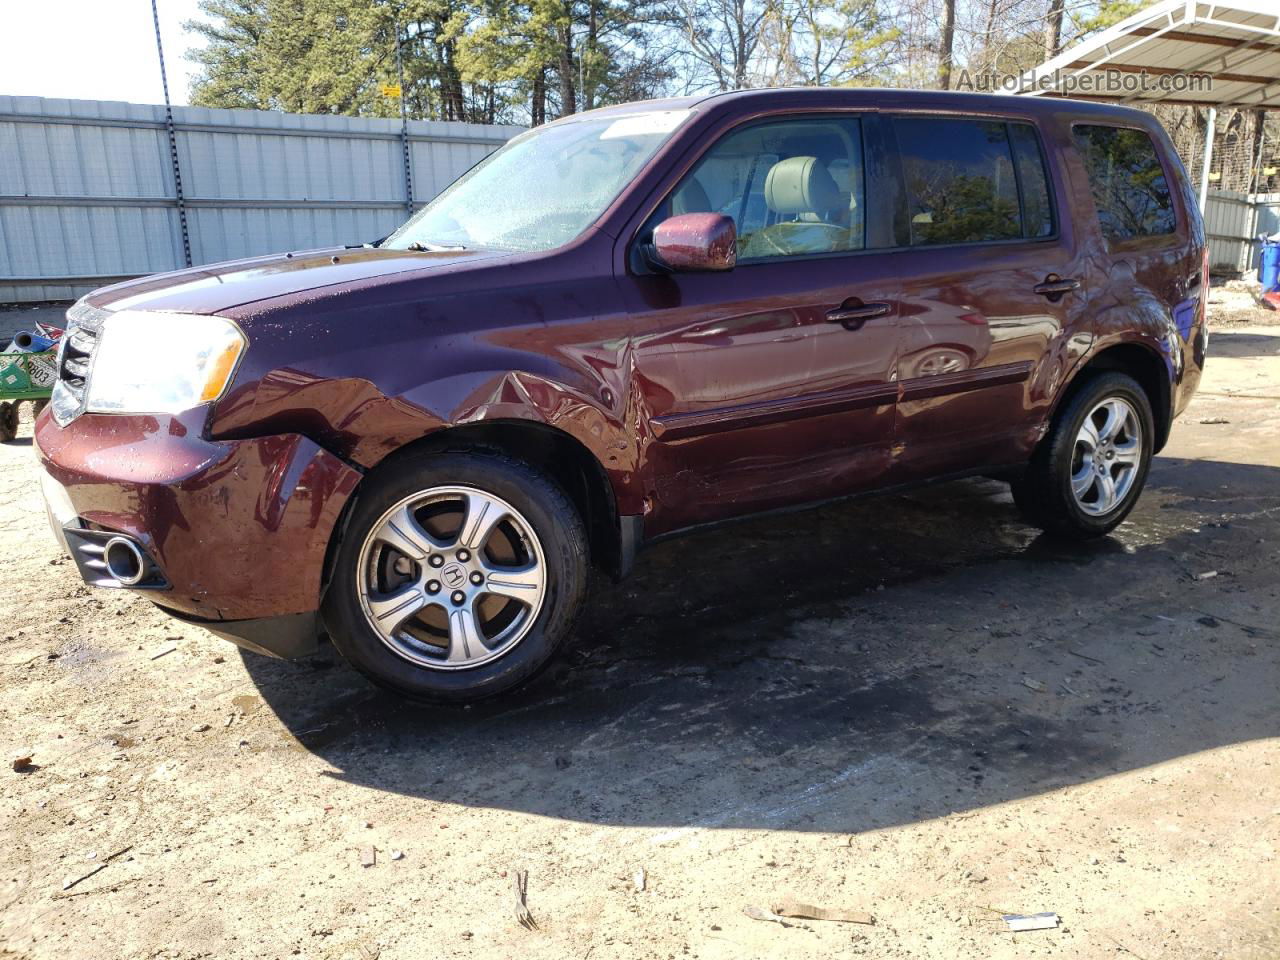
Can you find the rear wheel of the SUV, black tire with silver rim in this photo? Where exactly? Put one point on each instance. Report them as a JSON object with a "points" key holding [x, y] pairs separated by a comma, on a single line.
{"points": [[1063, 491]]}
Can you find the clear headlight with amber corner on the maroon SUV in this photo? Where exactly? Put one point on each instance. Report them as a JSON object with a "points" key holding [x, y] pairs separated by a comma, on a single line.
{"points": [[162, 363]]}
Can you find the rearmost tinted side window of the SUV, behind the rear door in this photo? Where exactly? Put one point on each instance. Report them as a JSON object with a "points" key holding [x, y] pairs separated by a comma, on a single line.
{"points": [[1128, 182]]}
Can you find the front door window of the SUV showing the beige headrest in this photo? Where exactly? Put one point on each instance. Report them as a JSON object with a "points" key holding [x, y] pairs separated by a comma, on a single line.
{"points": [[793, 188]]}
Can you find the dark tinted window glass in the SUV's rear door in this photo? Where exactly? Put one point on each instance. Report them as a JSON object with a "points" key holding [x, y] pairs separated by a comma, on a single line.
{"points": [[961, 181]]}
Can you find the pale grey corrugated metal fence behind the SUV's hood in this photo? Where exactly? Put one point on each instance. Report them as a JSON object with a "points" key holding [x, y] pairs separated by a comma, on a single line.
{"points": [[88, 191]]}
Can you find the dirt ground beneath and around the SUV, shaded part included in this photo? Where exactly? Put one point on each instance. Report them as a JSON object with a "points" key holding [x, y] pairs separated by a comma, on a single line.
{"points": [[909, 706]]}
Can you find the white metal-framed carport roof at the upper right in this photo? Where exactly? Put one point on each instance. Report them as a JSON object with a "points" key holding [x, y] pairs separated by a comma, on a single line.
{"points": [[1148, 58]]}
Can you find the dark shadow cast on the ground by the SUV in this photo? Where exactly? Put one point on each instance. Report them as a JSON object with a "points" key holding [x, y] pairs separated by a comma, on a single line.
{"points": [[857, 666]]}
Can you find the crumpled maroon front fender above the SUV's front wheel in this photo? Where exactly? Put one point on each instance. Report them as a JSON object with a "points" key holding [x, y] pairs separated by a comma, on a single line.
{"points": [[367, 373]]}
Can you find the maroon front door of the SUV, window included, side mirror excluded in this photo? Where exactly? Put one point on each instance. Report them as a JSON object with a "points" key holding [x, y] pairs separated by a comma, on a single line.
{"points": [[770, 385]]}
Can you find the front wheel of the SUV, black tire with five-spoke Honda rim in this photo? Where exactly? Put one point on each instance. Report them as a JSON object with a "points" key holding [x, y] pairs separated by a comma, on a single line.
{"points": [[435, 655]]}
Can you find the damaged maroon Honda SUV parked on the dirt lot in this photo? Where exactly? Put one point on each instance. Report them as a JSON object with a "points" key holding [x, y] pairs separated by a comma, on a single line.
{"points": [[619, 327]]}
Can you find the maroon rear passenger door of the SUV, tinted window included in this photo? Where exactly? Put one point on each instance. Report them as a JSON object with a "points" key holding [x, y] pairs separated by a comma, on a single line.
{"points": [[993, 282]]}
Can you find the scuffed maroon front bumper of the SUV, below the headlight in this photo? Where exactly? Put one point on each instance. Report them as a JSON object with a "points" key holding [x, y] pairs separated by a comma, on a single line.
{"points": [[237, 529]]}
